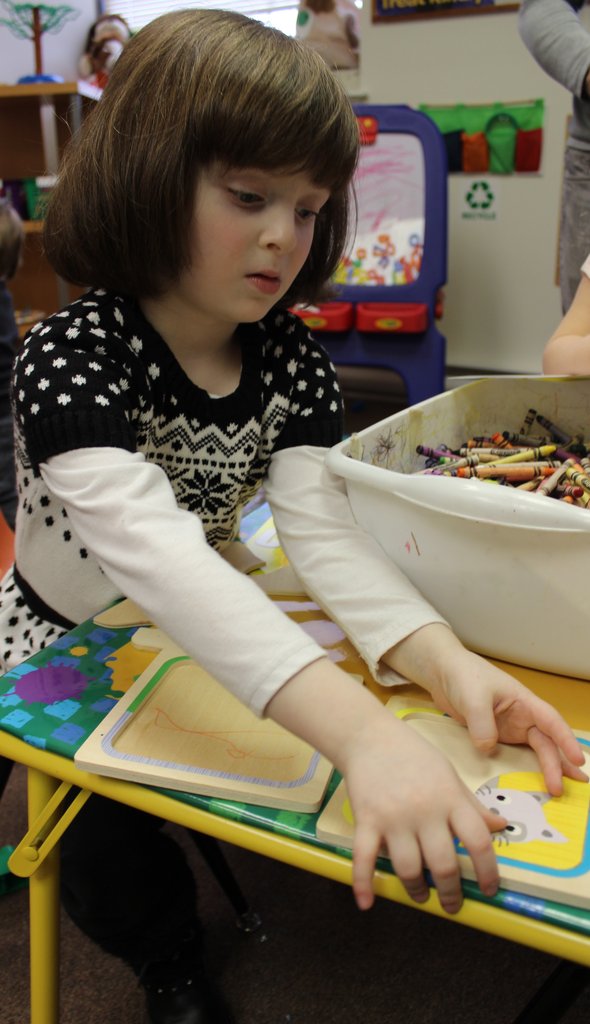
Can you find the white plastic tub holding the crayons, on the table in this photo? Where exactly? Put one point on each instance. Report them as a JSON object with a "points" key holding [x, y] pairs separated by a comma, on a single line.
{"points": [[511, 571]]}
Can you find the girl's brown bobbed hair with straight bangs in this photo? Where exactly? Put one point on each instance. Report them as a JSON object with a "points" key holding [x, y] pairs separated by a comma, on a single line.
{"points": [[191, 90]]}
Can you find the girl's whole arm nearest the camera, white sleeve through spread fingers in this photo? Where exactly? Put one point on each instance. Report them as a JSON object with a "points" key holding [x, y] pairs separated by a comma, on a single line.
{"points": [[404, 793]]}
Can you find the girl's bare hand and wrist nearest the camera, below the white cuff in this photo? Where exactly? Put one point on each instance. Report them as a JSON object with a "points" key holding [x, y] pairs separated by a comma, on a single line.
{"points": [[405, 794]]}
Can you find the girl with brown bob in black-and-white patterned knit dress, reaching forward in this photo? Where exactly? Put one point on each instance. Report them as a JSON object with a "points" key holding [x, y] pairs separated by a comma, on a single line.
{"points": [[208, 192]]}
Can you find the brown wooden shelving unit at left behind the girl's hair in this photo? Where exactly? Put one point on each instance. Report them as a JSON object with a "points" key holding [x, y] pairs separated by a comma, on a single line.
{"points": [[36, 122]]}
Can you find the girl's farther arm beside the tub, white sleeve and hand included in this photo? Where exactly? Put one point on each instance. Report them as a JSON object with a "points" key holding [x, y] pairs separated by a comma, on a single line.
{"points": [[398, 632]]}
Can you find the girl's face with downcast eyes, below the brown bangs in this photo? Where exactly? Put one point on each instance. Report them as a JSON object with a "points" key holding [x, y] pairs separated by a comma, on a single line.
{"points": [[251, 234]]}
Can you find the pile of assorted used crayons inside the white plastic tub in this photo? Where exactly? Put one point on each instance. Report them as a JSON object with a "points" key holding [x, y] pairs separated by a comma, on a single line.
{"points": [[554, 463]]}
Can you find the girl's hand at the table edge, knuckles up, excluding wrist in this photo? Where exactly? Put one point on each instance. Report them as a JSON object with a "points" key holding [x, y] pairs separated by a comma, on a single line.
{"points": [[407, 797]]}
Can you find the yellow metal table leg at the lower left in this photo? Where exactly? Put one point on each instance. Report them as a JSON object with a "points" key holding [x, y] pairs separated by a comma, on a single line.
{"points": [[45, 914]]}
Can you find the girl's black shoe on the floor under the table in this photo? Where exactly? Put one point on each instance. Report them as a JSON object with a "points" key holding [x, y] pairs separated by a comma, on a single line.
{"points": [[180, 992]]}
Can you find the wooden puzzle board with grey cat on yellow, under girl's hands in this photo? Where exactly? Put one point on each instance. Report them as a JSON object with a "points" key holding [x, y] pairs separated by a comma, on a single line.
{"points": [[545, 850]]}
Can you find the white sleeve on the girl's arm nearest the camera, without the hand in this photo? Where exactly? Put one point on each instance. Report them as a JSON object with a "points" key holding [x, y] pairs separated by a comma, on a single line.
{"points": [[124, 513]]}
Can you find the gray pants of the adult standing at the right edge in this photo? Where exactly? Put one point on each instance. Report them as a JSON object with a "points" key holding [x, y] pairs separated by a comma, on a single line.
{"points": [[575, 230]]}
